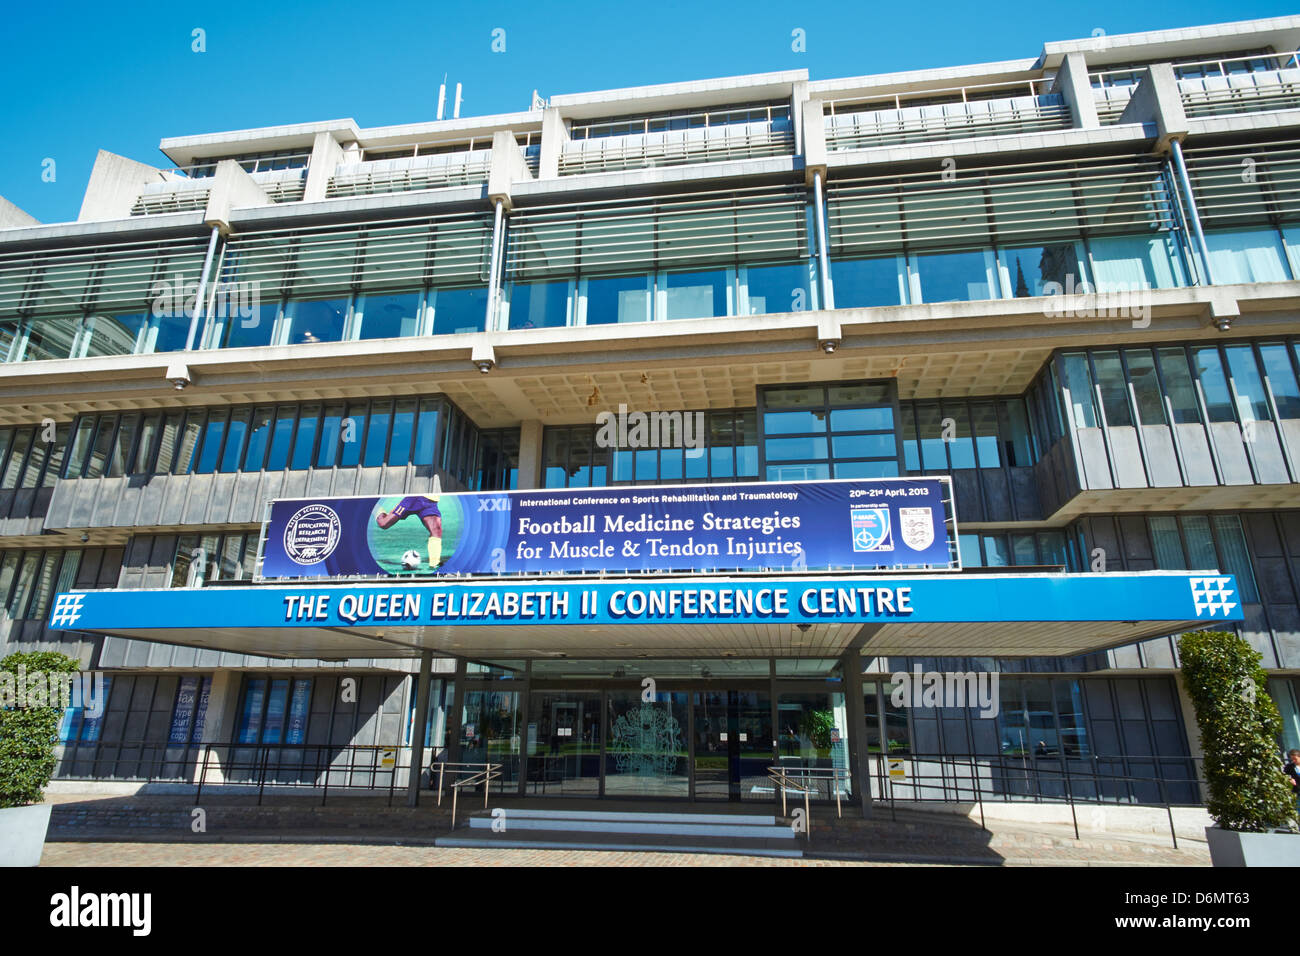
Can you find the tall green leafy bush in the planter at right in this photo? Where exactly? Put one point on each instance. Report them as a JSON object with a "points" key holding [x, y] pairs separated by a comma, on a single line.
{"points": [[1240, 725]]}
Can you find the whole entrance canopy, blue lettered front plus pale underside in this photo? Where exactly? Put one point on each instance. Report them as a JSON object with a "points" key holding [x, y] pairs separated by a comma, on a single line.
{"points": [[1072, 613]]}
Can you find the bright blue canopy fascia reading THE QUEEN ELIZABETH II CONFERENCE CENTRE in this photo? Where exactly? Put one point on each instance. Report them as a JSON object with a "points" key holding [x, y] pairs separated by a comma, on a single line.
{"points": [[1129, 596]]}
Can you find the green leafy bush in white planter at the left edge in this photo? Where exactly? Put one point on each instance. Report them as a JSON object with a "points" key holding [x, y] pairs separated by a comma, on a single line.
{"points": [[28, 734]]}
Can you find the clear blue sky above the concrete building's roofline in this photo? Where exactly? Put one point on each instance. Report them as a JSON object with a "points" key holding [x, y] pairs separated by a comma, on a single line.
{"points": [[79, 77]]}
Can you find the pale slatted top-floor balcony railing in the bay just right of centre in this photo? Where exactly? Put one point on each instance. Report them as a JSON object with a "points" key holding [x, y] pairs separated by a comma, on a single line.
{"points": [[1024, 107]]}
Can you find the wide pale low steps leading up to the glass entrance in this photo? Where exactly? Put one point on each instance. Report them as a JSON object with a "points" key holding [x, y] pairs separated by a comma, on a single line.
{"points": [[616, 830]]}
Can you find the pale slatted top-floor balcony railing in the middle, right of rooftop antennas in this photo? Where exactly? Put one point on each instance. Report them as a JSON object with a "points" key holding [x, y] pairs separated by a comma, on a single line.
{"points": [[696, 142]]}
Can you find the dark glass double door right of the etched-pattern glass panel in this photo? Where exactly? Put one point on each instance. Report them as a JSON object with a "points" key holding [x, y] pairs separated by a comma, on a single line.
{"points": [[734, 745]]}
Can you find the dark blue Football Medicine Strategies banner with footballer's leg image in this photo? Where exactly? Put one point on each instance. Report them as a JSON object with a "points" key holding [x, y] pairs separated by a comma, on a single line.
{"points": [[851, 525]]}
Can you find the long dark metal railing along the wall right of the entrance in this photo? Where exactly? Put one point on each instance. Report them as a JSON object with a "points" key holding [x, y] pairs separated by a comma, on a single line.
{"points": [[917, 778]]}
